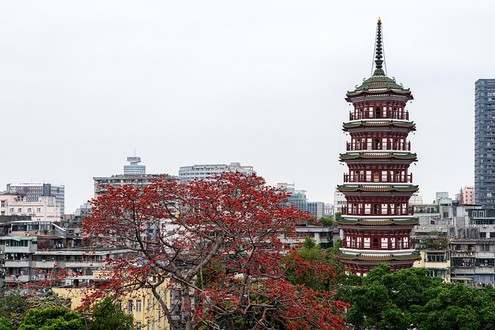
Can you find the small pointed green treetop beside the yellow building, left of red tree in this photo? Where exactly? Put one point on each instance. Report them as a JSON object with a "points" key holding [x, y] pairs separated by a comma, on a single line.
{"points": [[107, 315]]}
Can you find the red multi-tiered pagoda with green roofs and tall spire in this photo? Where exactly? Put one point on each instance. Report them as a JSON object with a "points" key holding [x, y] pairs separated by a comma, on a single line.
{"points": [[377, 219]]}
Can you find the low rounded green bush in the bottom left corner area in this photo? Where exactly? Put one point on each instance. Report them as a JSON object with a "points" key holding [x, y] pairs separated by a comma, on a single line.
{"points": [[52, 318]]}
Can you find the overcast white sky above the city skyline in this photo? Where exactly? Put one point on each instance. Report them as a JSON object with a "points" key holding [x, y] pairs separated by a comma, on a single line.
{"points": [[84, 83]]}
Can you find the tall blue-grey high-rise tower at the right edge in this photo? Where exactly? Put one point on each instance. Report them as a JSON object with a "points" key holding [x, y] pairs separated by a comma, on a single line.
{"points": [[484, 141]]}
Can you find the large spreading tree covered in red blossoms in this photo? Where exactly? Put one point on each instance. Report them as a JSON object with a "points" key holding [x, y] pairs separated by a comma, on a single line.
{"points": [[217, 243]]}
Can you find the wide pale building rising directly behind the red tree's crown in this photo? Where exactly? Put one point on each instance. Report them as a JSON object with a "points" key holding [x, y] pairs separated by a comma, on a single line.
{"points": [[188, 173]]}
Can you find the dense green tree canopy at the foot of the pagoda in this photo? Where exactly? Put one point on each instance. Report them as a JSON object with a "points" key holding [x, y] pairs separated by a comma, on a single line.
{"points": [[410, 298]]}
